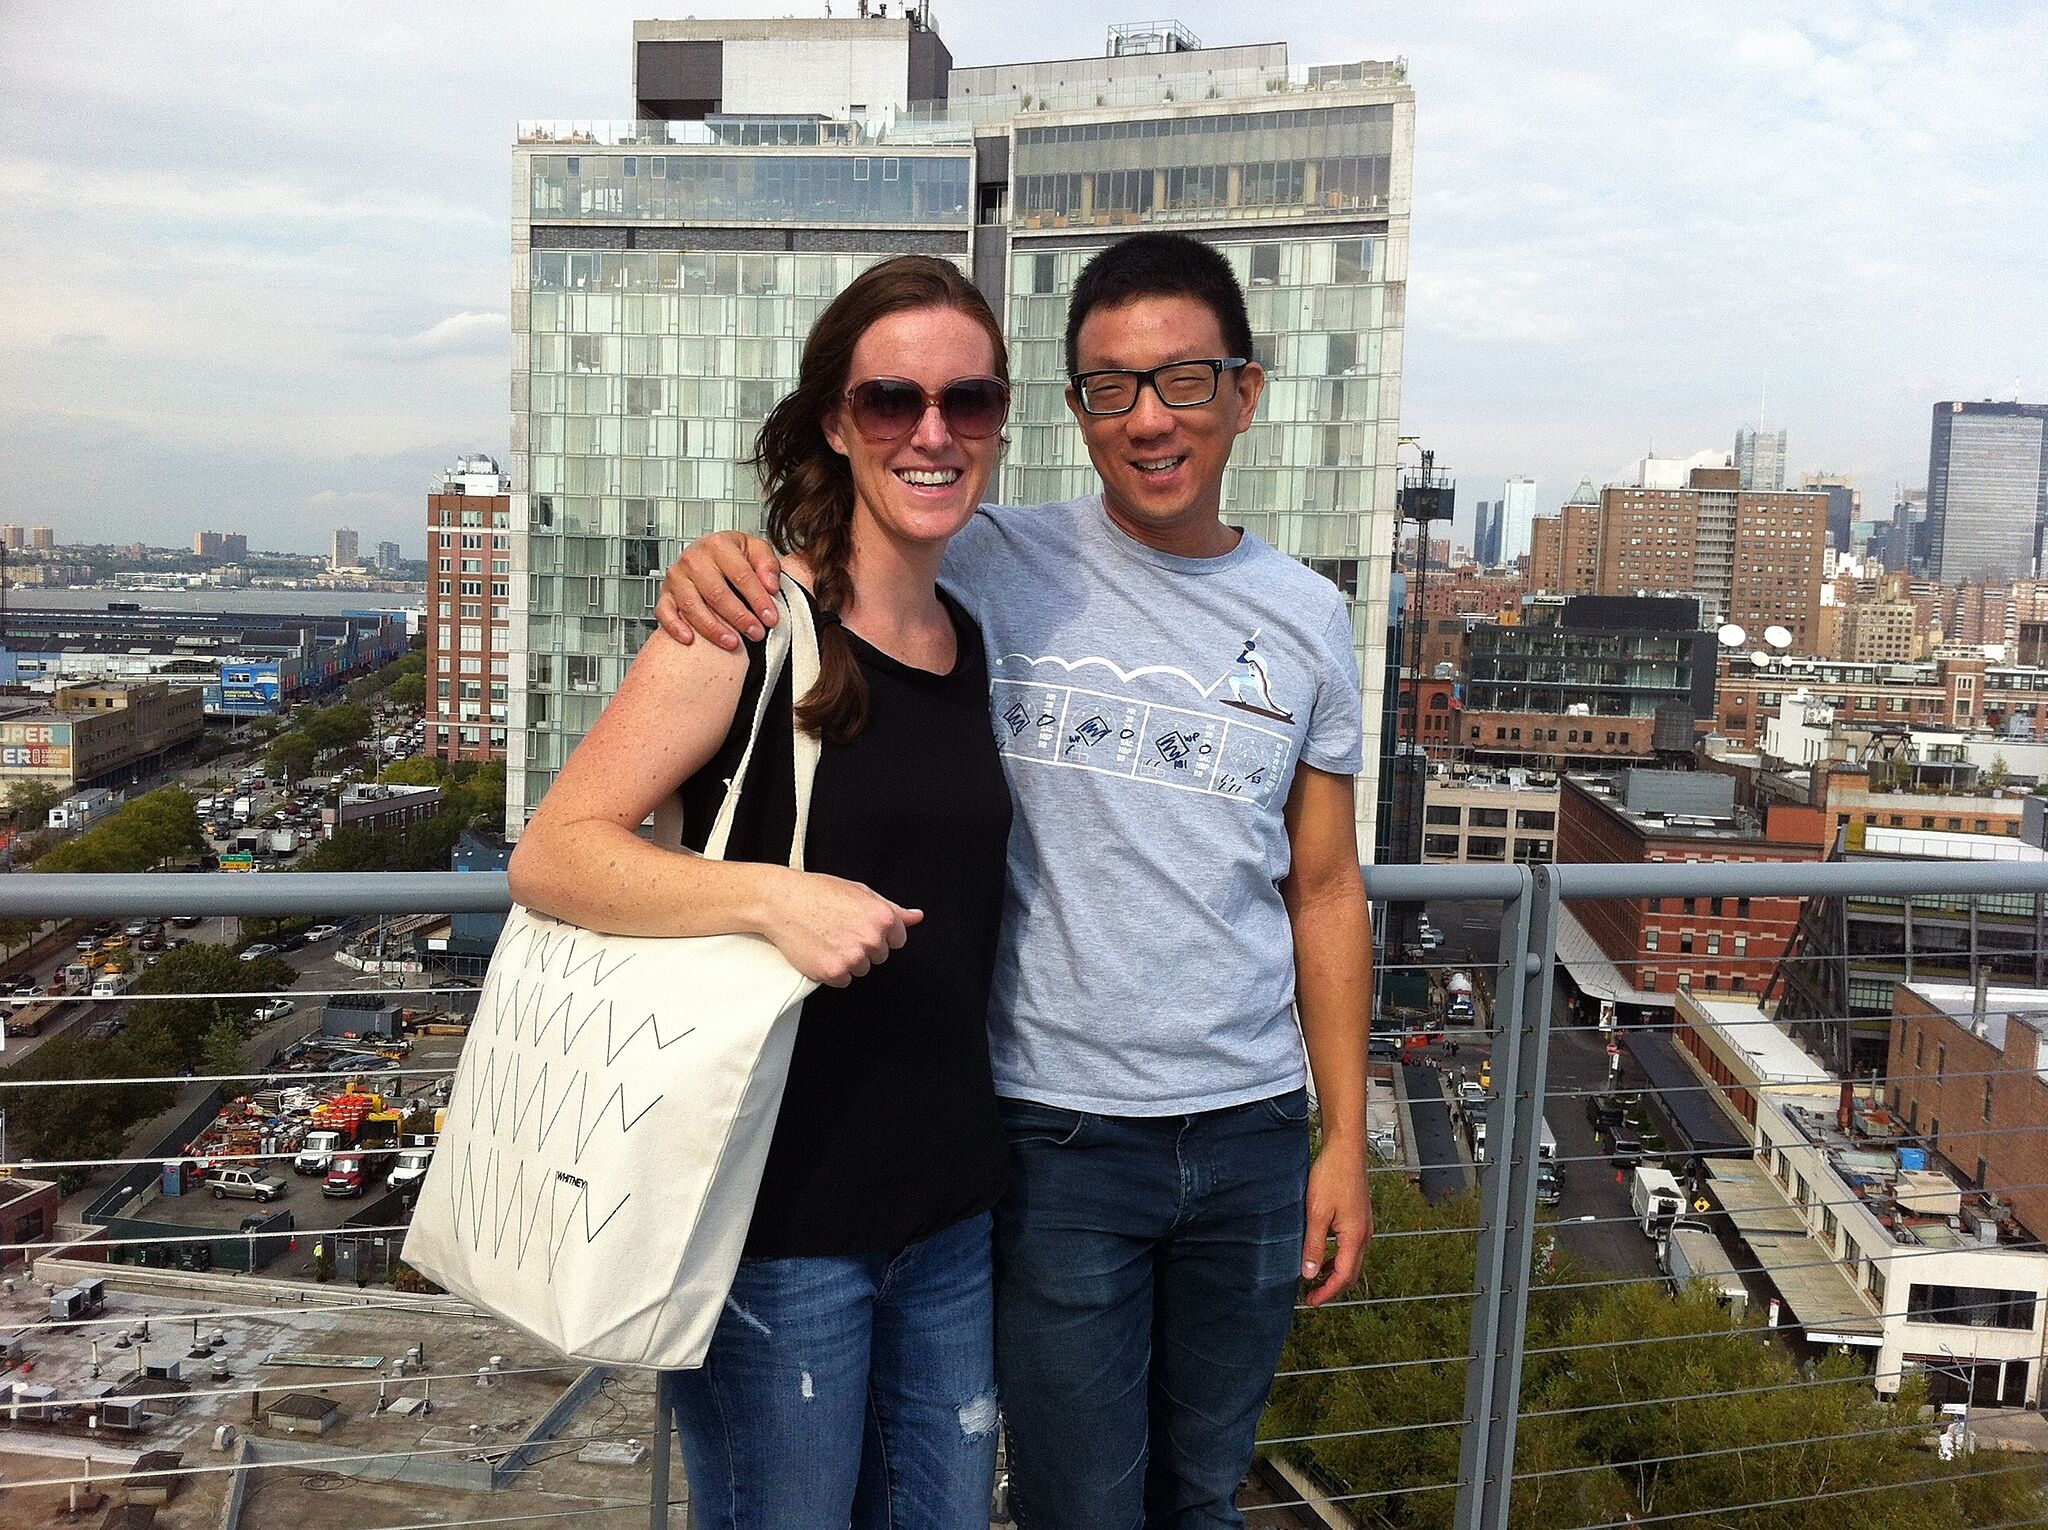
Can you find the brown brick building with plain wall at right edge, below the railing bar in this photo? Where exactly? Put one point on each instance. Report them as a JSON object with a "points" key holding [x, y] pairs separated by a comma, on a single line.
{"points": [[1975, 1089]]}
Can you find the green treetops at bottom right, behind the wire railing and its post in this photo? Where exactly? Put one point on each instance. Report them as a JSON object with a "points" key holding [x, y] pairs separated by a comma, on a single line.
{"points": [[1603, 1427]]}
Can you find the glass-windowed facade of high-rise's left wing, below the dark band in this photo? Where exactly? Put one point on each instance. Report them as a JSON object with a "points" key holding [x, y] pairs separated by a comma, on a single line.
{"points": [[644, 380]]}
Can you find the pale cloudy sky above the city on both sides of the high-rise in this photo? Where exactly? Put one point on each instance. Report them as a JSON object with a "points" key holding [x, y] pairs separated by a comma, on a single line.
{"points": [[257, 257]]}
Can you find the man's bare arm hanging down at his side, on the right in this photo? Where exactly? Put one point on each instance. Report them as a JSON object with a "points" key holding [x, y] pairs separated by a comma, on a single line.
{"points": [[1326, 902]]}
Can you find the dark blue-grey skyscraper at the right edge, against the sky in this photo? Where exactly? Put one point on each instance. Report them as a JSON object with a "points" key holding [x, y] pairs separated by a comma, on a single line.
{"points": [[1988, 491]]}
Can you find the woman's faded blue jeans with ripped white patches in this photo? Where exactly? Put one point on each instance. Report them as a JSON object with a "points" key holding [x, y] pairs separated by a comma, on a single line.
{"points": [[849, 1392]]}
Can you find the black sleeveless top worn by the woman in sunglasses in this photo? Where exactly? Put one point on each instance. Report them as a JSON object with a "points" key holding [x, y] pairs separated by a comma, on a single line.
{"points": [[888, 1130]]}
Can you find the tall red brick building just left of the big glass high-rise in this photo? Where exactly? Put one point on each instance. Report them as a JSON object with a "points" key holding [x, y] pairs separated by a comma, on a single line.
{"points": [[468, 611]]}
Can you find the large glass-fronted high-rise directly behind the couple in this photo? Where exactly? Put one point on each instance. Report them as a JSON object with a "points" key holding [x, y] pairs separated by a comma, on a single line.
{"points": [[669, 269]]}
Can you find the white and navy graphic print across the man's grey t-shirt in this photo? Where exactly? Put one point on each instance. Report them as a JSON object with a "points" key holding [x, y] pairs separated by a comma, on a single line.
{"points": [[1181, 747]]}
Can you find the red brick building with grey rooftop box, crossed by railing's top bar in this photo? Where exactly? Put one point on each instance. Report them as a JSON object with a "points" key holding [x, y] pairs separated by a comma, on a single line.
{"points": [[1670, 943]]}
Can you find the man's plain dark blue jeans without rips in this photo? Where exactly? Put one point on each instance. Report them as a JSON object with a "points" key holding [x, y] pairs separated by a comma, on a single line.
{"points": [[1146, 1277]]}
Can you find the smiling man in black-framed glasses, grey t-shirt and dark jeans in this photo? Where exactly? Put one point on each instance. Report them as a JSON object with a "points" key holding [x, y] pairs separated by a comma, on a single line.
{"points": [[1179, 714]]}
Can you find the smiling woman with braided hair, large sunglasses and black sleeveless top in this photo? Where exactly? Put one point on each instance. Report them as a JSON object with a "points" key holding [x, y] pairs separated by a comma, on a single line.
{"points": [[851, 1377]]}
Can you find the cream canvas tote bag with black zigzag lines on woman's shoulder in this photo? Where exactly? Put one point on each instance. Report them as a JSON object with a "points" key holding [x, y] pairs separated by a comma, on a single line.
{"points": [[613, 1107]]}
